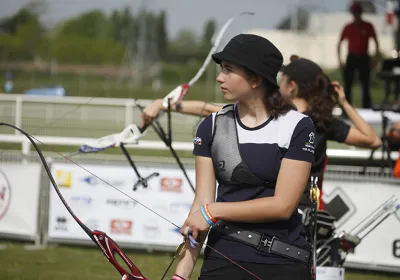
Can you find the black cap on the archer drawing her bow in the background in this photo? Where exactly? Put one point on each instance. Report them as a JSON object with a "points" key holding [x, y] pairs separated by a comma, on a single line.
{"points": [[302, 71]]}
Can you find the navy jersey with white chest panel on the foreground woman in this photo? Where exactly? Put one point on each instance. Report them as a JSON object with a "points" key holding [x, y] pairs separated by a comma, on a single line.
{"points": [[262, 148]]}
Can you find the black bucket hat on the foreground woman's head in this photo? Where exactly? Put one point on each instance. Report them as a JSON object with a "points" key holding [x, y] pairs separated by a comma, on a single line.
{"points": [[255, 53]]}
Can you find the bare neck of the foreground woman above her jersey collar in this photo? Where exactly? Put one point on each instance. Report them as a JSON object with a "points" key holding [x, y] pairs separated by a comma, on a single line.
{"points": [[252, 111]]}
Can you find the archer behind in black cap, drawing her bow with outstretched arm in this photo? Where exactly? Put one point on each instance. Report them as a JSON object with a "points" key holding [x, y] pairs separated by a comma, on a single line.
{"points": [[305, 83]]}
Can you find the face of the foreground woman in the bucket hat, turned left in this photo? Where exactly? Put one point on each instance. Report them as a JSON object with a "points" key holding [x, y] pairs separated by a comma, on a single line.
{"points": [[234, 82]]}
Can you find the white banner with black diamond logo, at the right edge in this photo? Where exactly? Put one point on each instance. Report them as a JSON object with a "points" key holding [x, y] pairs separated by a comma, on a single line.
{"points": [[353, 201]]}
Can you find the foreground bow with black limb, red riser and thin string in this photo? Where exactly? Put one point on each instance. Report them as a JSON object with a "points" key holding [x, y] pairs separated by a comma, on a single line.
{"points": [[106, 244]]}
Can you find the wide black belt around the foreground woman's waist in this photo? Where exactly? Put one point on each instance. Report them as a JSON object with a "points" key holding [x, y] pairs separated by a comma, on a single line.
{"points": [[263, 243]]}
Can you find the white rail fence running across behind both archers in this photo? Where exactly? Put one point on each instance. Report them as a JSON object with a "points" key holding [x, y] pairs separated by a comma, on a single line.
{"points": [[73, 121]]}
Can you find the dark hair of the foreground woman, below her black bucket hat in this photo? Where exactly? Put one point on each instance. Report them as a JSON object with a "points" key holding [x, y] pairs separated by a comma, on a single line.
{"points": [[275, 103]]}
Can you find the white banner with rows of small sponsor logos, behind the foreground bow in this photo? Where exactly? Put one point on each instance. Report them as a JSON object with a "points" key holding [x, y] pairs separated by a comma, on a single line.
{"points": [[97, 199]]}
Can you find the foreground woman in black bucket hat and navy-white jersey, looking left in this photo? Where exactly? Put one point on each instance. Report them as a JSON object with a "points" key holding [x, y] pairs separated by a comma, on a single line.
{"points": [[258, 150]]}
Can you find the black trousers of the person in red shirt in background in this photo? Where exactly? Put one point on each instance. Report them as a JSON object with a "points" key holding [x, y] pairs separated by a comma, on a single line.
{"points": [[362, 64]]}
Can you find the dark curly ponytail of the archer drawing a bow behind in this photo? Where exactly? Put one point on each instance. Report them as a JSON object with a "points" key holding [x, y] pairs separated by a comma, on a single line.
{"points": [[321, 98]]}
